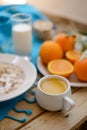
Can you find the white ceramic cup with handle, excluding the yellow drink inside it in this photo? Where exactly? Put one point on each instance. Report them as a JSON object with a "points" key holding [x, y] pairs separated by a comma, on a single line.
{"points": [[55, 102]]}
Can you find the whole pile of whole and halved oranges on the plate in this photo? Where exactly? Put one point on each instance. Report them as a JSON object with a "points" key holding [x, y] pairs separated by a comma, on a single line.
{"points": [[61, 58]]}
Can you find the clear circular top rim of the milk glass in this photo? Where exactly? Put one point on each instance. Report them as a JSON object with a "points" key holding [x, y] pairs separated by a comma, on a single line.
{"points": [[14, 17]]}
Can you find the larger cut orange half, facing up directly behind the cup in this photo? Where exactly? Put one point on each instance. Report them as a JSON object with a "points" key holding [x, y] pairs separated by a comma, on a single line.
{"points": [[60, 67]]}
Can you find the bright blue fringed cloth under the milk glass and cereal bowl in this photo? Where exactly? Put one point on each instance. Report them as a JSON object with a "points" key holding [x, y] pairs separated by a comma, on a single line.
{"points": [[6, 46]]}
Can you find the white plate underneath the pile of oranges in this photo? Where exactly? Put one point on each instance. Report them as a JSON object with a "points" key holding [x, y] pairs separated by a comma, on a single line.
{"points": [[74, 81]]}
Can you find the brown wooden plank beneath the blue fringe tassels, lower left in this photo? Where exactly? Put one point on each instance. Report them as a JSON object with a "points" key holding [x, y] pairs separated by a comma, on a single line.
{"points": [[22, 105]]}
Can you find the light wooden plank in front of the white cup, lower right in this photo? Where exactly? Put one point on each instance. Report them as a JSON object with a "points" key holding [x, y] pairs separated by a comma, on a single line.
{"points": [[55, 120]]}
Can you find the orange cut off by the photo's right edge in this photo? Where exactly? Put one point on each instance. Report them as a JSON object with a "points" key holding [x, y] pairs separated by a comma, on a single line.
{"points": [[80, 68]]}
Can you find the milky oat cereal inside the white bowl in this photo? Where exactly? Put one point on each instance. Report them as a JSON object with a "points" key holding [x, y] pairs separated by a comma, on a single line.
{"points": [[11, 77]]}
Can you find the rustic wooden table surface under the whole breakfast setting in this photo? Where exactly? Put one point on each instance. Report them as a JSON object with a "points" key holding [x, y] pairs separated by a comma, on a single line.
{"points": [[45, 120]]}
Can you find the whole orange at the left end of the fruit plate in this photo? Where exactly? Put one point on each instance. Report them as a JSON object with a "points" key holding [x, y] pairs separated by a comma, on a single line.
{"points": [[49, 51]]}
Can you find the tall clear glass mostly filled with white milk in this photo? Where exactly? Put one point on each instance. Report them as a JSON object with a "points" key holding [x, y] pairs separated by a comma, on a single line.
{"points": [[22, 34]]}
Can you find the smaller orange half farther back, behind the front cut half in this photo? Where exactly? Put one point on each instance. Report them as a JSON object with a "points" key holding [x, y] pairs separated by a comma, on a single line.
{"points": [[73, 55]]}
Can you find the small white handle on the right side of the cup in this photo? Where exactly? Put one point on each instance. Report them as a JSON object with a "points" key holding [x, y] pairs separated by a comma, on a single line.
{"points": [[68, 104]]}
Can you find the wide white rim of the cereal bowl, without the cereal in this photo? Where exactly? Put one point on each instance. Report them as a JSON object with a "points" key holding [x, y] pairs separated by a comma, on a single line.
{"points": [[29, 70]]}
